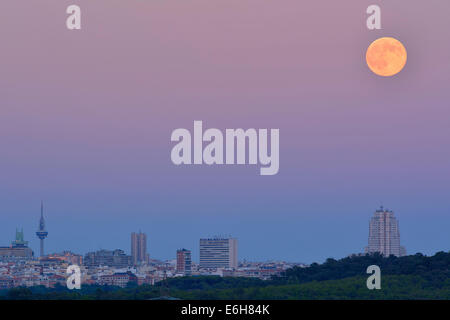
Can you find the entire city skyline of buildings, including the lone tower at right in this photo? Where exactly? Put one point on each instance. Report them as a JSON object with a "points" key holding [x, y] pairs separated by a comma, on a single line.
{"points": [[218, 256]]}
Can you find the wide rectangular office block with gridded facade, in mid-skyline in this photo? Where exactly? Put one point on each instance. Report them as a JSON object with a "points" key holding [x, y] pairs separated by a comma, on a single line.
{"points": [[218, 253]]}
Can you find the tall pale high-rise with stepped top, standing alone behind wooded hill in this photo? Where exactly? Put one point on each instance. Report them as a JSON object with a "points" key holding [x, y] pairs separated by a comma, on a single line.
{"points": [[384, 234]]}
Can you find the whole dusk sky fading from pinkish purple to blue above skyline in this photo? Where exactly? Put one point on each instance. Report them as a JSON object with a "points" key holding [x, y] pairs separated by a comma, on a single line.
{"points": [[86, 118]]}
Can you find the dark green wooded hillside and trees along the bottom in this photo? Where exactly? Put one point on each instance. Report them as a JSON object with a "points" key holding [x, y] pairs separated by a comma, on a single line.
{"points": [[411, 277]]}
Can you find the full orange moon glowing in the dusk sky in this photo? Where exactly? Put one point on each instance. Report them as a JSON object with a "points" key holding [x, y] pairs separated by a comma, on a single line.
{"points": [[386, 56]]}
